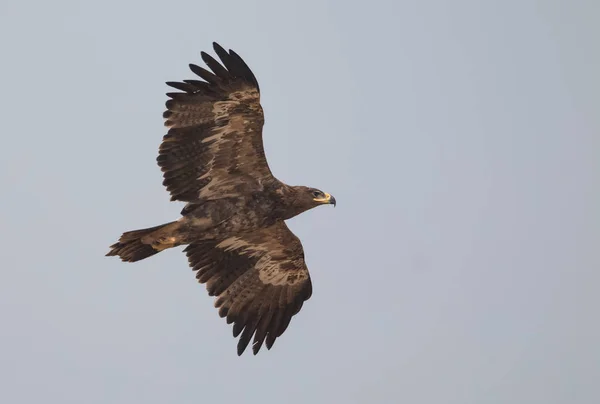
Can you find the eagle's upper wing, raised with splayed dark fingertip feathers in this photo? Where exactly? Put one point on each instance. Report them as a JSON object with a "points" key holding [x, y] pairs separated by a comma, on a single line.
{"points": [[214, 146]]}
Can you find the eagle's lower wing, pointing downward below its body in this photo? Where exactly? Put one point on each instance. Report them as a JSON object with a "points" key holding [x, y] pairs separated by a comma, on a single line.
{"points": [[260, 280]]}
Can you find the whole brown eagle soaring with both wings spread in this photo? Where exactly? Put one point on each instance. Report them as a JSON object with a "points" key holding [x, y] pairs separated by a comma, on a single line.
{"points": [[233, 224]]}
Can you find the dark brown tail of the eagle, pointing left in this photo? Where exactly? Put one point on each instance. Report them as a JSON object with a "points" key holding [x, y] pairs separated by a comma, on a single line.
{"points": [[139, 244]]}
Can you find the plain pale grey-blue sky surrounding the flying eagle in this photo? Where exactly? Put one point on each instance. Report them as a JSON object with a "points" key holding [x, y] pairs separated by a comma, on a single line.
{"points": [[461, 140]]}
